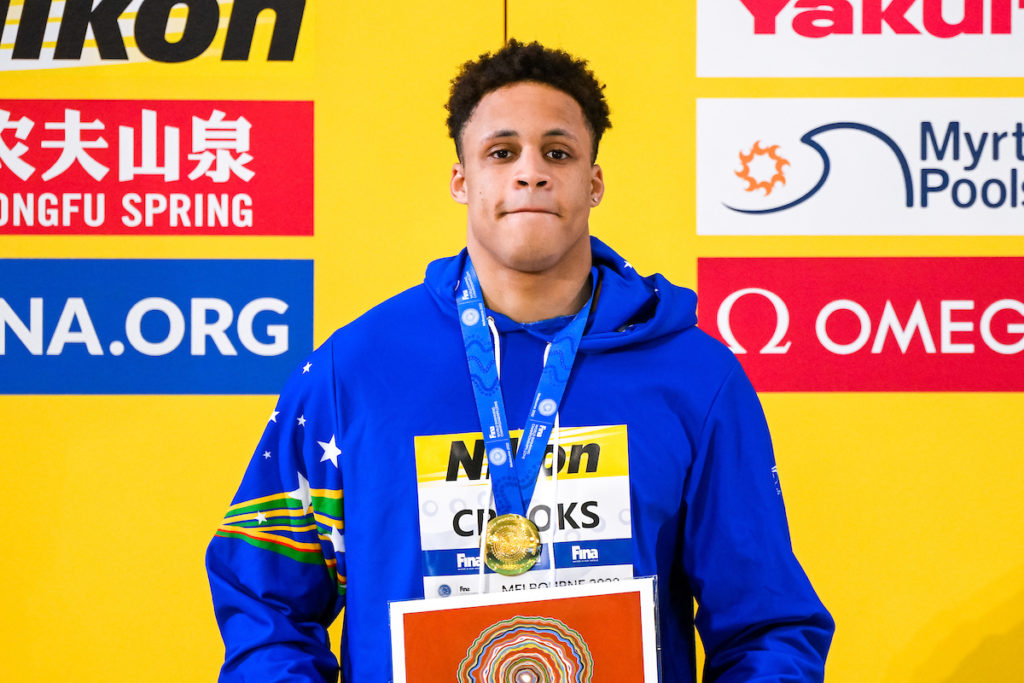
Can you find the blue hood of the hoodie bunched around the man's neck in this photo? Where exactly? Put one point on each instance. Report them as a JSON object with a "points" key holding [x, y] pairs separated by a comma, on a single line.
{"points": [[629, 309]]}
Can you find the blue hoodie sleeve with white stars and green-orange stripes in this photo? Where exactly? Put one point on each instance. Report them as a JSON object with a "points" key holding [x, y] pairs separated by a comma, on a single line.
{"points": [[277, 565]]}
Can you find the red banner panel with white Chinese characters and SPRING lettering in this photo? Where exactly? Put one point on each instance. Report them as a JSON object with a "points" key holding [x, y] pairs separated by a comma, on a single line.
{"points": [[124, 167]]}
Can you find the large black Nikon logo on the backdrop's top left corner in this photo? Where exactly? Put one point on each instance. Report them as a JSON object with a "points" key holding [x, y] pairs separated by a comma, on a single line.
{"points": [[41, 33]]}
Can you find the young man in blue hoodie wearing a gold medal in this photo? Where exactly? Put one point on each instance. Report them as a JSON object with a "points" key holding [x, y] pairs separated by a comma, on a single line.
{"points": [[536, 326]]}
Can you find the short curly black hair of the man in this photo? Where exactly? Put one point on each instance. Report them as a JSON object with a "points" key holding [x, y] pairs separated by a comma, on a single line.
{"points": [[516, 63]]}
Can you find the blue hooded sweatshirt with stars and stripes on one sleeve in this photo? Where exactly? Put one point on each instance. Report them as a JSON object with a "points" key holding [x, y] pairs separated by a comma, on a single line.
{"points": [[327, 515]]}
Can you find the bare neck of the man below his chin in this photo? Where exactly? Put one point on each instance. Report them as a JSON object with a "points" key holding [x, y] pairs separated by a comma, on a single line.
{"points": [[529, 297]]}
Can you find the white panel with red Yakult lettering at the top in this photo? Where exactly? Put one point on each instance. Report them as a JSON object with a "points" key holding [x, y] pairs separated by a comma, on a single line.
{"points": [[776, 38]]}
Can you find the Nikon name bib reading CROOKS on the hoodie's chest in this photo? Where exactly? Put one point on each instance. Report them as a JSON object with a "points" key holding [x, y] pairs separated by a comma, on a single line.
{"points": [[586, 514]]}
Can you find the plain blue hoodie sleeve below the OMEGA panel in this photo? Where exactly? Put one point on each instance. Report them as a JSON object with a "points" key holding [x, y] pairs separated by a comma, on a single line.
{"points": [[758, 616]]}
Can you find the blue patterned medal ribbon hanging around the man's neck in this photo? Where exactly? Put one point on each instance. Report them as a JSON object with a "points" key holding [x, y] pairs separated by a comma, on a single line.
{"points": [[515, 478]]}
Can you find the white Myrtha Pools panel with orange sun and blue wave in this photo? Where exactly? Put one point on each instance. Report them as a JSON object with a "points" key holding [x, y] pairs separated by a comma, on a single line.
{"points": [[908, 167]]}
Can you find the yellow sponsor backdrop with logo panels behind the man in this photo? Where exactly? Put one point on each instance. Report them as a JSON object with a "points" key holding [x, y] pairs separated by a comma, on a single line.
{"points": [[193, 195]]}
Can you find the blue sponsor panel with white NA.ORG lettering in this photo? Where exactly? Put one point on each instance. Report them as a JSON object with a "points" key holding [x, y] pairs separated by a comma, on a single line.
{"points": [[152, 327]]}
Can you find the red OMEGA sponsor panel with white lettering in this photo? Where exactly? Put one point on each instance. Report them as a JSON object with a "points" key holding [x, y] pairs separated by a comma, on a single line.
{"points": [[884, 324]]}
